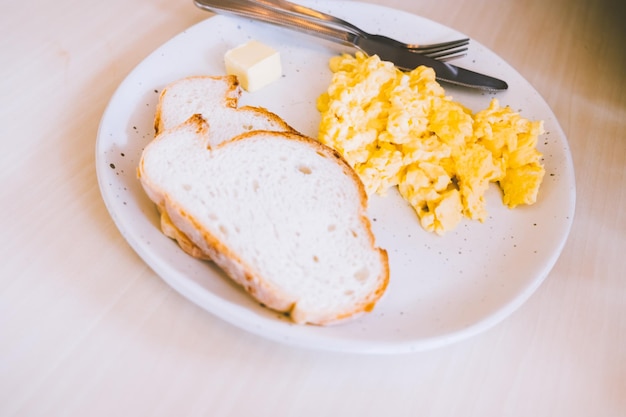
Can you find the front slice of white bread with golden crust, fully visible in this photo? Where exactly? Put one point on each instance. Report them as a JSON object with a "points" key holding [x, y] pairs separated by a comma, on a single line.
{"points": [[281, 214]]}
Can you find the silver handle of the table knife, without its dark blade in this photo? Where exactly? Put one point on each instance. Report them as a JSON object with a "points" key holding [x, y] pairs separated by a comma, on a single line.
{"points": [[271, 14]]}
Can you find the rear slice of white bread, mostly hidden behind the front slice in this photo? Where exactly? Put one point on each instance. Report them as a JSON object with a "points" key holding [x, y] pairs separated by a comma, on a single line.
{"points": [[216, 99]]}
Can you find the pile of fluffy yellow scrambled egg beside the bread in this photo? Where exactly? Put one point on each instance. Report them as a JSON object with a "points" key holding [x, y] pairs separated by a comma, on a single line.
{"points": [[400, 129]]}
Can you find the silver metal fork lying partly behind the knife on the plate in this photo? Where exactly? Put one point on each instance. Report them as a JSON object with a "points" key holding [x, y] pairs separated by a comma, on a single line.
{"points": [[444, 50]]}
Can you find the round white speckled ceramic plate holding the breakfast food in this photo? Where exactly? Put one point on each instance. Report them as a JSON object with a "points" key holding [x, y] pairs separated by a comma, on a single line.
{"points": [[442, 289]]}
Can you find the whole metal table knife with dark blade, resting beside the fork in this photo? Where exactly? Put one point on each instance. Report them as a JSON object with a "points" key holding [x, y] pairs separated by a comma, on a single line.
{"points": [[404, 59]]}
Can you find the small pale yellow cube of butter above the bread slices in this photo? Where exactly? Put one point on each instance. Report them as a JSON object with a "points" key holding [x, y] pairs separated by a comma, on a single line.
{"points": [[255, 65]]}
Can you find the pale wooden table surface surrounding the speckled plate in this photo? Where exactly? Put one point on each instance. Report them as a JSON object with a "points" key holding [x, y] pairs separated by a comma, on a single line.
{"points": [[86, 328]]}
